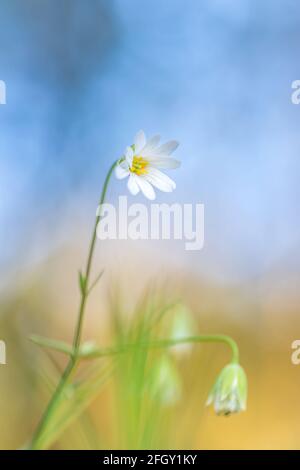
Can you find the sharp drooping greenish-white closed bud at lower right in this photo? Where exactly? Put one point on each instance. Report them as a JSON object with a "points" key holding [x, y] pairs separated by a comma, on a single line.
{"points": [[229, 394]]}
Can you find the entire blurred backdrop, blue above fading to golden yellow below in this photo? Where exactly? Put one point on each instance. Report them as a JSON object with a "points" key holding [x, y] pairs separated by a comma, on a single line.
{"points": [[82, 78]]}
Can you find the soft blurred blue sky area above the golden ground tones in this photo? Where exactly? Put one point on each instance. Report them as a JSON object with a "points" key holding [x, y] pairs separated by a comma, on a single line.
{"points": [[83, 77]]}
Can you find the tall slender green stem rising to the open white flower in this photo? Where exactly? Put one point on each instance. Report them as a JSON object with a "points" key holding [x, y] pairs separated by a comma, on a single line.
{"points": [[73, 361]]}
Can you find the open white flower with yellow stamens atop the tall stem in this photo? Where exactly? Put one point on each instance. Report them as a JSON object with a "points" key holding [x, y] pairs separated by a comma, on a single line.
{"points": [[142, 163]]}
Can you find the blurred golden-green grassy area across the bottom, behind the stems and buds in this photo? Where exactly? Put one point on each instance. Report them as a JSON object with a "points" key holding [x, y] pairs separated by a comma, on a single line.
{"points": [[120, 410]]}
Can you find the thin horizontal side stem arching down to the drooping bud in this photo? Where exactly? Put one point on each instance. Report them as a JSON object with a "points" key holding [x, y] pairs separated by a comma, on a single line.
{"points": [[167, 343]]}
